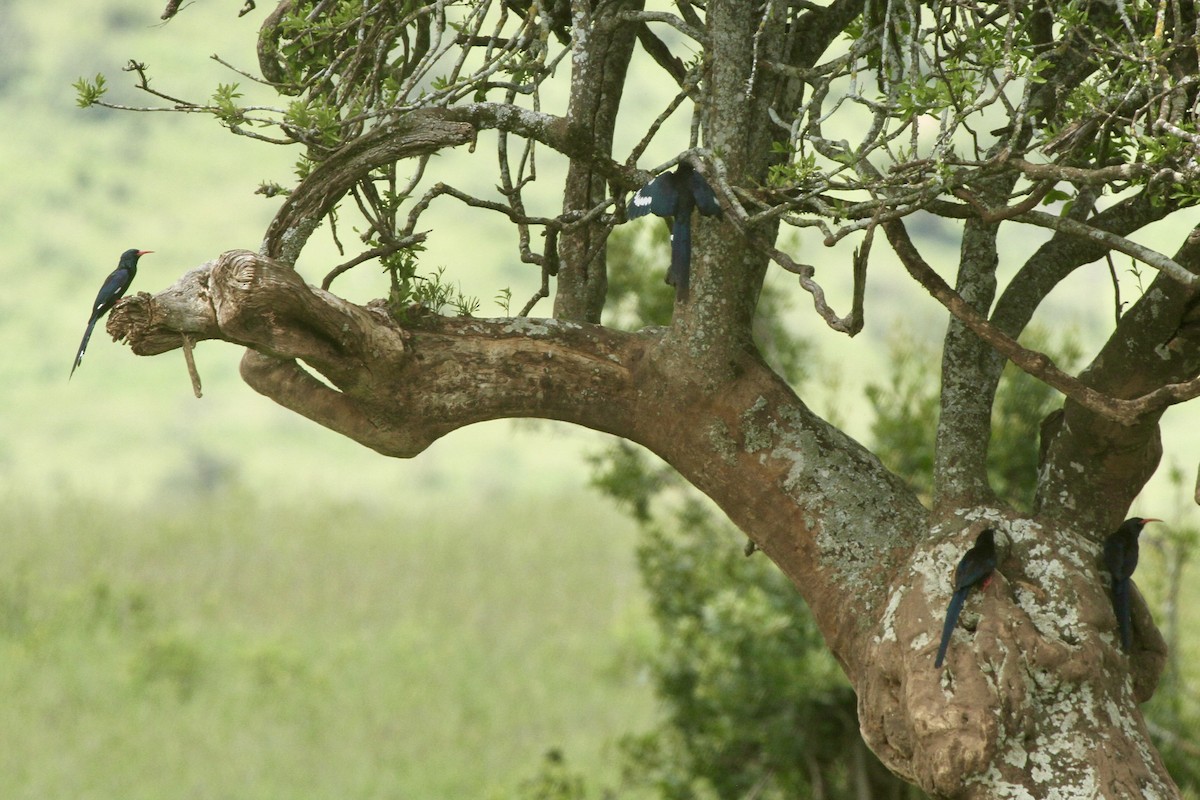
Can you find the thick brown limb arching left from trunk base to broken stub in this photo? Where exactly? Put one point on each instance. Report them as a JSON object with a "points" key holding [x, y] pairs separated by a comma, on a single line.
{"points": [[814, 501]]}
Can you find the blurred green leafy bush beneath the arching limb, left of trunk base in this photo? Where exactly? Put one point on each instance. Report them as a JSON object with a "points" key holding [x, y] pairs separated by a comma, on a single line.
{"points": [[755, 705]]}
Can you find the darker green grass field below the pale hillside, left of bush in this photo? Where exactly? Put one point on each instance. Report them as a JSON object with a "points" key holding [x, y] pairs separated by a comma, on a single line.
{"points": [[232, 648]]}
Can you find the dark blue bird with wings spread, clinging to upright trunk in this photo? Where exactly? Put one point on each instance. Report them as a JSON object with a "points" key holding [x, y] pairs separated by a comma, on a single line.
{"points": [[676, 195]]}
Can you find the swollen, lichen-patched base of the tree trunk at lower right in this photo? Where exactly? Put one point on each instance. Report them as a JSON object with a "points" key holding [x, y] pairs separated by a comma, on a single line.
{"points": [[1036, 697]]}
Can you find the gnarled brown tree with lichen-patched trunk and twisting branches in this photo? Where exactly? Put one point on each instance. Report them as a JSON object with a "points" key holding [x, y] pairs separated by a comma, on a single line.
{"points": [[1037, 699]]}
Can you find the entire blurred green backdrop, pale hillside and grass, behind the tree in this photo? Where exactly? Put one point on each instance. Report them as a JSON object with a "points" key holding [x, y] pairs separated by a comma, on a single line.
{"points": [[215, 598]]}
